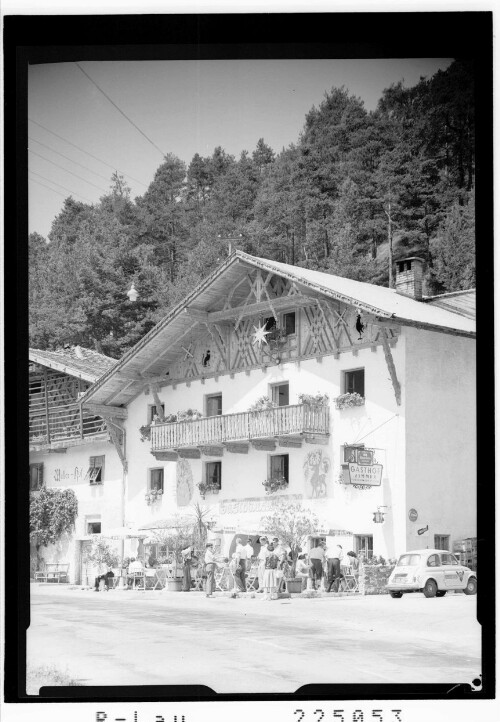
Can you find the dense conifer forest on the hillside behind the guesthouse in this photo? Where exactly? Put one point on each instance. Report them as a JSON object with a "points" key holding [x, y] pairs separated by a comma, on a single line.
{"points": [[357, 191]]}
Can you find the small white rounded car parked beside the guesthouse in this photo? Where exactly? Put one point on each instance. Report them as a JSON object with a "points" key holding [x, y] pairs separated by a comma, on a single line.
{"points": [[431, 571]]}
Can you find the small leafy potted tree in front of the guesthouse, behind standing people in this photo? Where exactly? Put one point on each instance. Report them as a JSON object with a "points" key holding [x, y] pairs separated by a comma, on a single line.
{"points": [[292, 524]]}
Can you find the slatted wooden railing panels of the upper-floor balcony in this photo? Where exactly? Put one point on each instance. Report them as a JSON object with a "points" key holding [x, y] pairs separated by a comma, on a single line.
{"points": [[270, 423]]}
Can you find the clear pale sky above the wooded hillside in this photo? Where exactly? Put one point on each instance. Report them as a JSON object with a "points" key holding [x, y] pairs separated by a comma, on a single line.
{"points": [[181, 107]]}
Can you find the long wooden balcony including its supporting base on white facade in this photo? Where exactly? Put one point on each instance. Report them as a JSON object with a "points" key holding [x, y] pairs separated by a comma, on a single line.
{"points": [[286, 425]]}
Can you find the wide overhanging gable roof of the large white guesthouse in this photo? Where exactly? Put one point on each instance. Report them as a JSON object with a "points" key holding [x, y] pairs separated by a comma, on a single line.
{"points": [[150, 357]]}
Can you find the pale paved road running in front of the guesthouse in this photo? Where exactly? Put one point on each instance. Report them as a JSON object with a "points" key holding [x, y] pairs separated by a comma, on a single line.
{"points": [[250, 645]]}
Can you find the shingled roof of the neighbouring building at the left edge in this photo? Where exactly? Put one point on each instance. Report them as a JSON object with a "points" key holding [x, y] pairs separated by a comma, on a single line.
{"points": [[83, 363]]}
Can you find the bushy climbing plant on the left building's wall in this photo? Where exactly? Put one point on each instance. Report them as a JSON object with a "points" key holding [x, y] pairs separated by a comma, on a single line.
{"points": [[52, 514]]}
